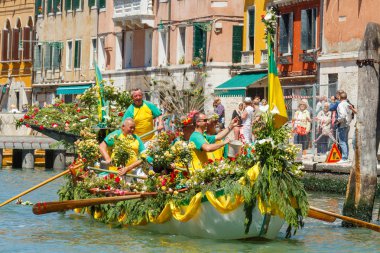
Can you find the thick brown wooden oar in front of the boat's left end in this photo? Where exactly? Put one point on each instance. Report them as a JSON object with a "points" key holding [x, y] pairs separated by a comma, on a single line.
{"points": [[59, 206]]}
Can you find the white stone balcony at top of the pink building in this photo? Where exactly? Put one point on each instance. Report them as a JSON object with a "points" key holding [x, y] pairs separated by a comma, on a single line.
{"points": [[133, 13]]}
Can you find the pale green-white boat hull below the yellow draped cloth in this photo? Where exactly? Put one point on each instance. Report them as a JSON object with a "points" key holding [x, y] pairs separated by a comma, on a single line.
{"points": [[209, 223]]}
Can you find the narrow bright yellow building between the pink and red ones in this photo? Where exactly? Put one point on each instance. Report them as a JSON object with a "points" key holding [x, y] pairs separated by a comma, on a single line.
{"points": [[254, 44]]}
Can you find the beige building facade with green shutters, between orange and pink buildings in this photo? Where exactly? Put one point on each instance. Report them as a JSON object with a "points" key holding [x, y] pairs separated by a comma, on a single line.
{"points": [[65, 48]]}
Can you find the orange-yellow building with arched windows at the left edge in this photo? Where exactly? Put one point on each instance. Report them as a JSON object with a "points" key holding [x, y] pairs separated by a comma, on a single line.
{"points": [[16, 20]]}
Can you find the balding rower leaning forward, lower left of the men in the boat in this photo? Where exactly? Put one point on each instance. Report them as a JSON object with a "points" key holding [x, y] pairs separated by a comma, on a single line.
{"points": [[127, 130]]}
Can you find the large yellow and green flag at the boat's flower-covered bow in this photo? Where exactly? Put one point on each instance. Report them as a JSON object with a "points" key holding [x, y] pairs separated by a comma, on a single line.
{"points": [[276, 98]]}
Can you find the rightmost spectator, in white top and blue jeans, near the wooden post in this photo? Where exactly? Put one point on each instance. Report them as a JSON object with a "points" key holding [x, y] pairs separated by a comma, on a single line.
{"points": [[344, 117]]}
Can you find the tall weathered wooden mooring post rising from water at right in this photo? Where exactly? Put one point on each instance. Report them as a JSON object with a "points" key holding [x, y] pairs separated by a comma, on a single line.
{"points": [[361, 186]]}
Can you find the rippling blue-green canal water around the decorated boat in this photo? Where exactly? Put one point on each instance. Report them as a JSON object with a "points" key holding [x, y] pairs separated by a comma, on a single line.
{"points": [[22, 231]]}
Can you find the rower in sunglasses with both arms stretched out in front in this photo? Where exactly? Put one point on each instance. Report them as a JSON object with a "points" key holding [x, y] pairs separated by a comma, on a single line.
{"points": [[205, 143]]}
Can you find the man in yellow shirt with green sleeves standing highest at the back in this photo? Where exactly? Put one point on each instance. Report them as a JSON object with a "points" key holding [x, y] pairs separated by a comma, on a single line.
{"points": [[143, 112]]}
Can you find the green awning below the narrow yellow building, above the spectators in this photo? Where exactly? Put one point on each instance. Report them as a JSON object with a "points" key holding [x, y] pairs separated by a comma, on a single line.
{"points": [[238, 84]]}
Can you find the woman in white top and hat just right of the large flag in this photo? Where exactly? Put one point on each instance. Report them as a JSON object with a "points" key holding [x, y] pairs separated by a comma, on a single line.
{"points": [[302, 125]]}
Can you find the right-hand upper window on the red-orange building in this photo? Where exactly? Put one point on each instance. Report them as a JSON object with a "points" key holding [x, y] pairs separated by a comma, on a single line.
{"points": [[308, 26]]}
